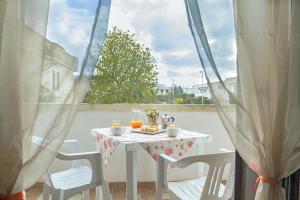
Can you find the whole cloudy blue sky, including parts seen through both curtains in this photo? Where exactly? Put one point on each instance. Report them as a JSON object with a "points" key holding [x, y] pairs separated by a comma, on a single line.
{"points": [[159, 24]]}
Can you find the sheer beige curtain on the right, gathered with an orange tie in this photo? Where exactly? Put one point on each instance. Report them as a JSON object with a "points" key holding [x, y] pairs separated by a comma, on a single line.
{"points": [[266, 131]]}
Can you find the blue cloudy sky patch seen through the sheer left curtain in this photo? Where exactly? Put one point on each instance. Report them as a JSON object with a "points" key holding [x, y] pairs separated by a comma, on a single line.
{"points": [[70, 25]]}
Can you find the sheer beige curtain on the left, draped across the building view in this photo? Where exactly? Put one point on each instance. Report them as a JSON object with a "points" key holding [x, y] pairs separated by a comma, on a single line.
{"points": [[48, 51]]}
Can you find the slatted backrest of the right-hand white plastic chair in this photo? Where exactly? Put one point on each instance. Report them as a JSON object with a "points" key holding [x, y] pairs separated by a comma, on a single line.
{"points": [[217, 164]]}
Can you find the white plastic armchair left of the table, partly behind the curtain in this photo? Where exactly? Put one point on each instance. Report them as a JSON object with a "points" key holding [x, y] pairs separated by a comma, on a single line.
{"points": [[79, 178]]}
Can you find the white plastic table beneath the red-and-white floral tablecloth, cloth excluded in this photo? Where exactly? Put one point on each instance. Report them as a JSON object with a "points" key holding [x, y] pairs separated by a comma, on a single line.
{"points": [[131, 148]]}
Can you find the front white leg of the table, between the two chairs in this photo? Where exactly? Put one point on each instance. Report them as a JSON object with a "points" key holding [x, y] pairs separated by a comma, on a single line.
{"points": [[131, 168]]}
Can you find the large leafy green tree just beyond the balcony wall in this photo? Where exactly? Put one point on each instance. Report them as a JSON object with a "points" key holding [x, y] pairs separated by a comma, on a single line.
{"points": [[126, 71]]}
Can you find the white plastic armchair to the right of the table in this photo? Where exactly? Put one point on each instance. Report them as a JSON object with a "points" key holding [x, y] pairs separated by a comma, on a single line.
{"points": [[204, 188]]}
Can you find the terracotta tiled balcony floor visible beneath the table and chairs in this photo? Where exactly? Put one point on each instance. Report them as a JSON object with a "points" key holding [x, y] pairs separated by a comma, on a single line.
{"points": [[146, 191]]}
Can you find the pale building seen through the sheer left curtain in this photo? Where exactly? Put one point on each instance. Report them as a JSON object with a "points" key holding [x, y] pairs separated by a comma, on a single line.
{"points": [[58, 68]]}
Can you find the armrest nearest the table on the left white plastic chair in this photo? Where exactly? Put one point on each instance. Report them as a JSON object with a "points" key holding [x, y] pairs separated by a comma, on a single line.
{"points": [[94, 158]]}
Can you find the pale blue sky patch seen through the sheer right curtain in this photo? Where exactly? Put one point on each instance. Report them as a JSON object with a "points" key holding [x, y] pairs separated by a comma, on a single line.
{"points": [[218, 21]]}
